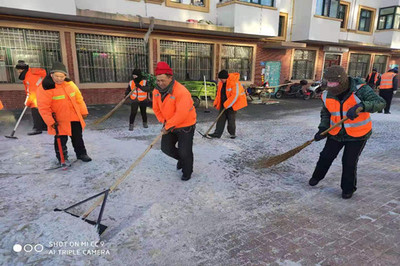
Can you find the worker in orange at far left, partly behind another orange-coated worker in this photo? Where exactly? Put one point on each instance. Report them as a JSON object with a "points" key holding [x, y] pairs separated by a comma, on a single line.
{"points": [[32, 78]]}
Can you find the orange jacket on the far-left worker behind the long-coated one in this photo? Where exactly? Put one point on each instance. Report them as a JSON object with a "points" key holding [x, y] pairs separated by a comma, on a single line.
{"points": [[32, 81]]}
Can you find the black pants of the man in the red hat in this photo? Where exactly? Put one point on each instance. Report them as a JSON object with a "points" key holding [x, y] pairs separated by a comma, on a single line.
{"points": [[184, 153]]}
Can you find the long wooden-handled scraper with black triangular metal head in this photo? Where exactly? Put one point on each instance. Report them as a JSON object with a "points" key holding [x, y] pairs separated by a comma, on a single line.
{"points": [[103, 195]]}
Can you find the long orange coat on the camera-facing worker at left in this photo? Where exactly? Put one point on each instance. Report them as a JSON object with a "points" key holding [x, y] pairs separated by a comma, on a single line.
{"points": [[67, 102]]}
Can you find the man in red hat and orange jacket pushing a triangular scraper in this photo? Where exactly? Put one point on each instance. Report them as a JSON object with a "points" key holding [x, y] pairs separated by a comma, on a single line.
{"points": [[173, 107]]}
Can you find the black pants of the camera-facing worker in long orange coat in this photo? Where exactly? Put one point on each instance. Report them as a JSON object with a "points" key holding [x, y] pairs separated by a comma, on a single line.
{"points": [[77, 141]]}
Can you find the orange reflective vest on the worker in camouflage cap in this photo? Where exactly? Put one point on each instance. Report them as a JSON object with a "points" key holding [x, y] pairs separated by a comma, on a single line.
{"points": [[358, 127]]}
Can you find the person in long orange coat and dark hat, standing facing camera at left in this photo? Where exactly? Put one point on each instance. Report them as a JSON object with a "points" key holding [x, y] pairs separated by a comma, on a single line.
{"points": [[59, 95]]}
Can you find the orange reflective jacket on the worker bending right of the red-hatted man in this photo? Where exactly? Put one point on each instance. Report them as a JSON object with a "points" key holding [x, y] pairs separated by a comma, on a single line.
{"points": [[236, 96]]}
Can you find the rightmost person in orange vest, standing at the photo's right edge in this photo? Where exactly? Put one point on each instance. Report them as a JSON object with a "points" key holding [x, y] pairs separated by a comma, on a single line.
{"points": [[388, 87]]}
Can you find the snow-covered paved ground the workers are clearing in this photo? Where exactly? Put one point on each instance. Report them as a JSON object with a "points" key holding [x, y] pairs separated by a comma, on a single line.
{"points": [[153, 217]]}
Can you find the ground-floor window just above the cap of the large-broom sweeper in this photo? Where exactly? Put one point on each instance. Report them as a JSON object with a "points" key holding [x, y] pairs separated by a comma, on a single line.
{"points": [[303, 64]]}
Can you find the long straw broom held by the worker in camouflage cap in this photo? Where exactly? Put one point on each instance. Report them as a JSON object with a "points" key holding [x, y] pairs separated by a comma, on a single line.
{"points": [[272, 161]]}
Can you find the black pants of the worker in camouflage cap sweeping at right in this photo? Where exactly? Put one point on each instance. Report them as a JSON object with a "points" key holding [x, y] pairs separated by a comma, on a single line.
{"points": [[352, 151]]}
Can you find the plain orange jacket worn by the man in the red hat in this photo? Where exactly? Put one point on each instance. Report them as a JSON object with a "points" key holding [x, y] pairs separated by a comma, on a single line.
{"points": [[177, 109]]}
